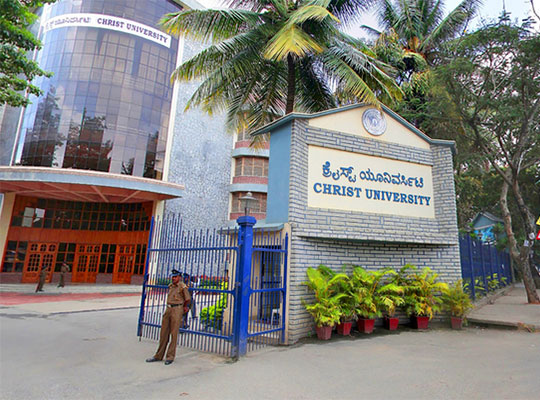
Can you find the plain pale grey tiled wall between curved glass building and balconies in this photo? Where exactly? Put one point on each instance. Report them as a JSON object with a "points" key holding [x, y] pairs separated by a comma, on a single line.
{"points": [[201, 160]]}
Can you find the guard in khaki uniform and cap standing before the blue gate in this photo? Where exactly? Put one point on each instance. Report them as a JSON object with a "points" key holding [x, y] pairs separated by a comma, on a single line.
{"points": [[178, 300]]}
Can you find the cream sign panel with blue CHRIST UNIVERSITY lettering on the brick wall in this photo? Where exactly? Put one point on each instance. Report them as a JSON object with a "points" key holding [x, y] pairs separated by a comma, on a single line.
{"points": [[356, 182]]}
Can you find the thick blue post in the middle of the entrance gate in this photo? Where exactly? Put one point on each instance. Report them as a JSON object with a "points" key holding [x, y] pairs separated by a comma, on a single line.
{"points": [[243, 288]]}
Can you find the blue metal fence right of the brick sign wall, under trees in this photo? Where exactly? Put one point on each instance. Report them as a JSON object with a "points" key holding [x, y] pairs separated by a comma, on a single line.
{"points": [[483, 267]]}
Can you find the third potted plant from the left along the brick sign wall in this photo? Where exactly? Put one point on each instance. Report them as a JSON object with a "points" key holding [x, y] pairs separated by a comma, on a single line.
{"points": [[367, 296]]}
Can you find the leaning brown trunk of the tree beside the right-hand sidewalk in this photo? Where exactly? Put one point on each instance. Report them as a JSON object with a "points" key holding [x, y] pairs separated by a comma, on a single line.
{"points": [[520, 257]]}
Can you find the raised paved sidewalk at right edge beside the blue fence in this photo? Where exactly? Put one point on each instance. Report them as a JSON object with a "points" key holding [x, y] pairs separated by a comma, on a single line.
{"points": [[510, 310]]}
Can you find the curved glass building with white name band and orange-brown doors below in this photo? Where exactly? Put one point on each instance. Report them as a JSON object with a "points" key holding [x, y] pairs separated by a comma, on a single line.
{"points": [[89, 163]]}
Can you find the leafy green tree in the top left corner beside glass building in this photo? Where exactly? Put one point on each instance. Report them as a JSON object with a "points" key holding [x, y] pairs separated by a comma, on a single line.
{"points": [[16, 43]]}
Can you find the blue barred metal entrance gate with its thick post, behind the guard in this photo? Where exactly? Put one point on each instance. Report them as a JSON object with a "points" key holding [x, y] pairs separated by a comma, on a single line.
{"points": [[236, 278]]}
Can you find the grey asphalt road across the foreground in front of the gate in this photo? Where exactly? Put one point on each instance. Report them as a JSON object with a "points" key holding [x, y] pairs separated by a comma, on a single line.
{"points": [[96, 355]]}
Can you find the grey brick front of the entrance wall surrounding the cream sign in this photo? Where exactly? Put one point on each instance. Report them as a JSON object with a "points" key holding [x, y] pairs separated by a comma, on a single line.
{"points": [[335, 237]]}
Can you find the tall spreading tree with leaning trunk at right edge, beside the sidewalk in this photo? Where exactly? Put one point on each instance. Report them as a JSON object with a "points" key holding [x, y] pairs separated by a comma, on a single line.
{"points": [[493, 78]]}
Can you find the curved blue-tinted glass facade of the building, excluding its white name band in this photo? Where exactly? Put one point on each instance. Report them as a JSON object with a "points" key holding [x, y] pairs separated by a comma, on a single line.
{"points": [[107, 106]]}
